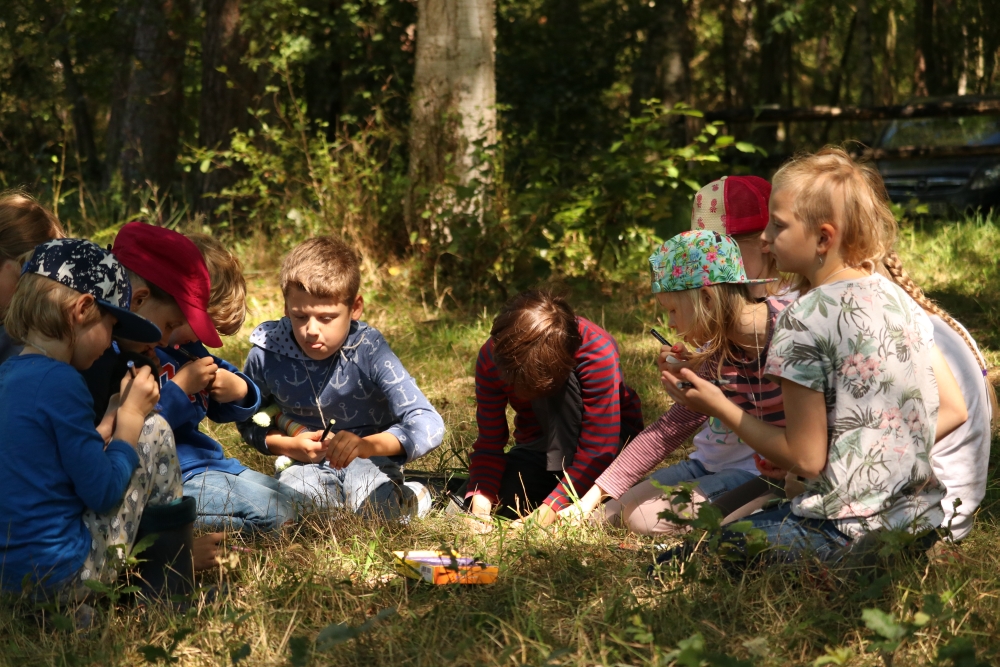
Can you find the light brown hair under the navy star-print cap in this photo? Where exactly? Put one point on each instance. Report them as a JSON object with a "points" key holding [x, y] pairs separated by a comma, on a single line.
{"points": [[42, 304]]}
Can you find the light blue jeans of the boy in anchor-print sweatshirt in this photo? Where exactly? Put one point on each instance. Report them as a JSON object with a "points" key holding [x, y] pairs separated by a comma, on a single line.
{"points": [[366, 486]]}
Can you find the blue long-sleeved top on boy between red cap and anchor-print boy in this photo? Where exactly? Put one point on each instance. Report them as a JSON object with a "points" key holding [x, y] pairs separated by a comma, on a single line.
{"points": [[196, 451]]}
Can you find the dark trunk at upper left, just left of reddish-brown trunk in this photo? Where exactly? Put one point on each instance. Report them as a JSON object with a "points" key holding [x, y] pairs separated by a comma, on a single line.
{"points": [[155, 94]]}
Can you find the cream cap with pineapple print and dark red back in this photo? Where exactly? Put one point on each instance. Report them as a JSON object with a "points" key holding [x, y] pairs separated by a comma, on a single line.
{"points": [[732, 205]]}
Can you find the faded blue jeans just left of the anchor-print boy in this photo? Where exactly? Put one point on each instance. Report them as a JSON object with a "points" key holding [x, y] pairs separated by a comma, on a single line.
{"points": [[250, 501]]}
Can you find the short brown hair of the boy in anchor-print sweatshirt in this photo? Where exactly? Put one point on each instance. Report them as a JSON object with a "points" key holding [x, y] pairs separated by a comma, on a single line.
{"points": [[325, 267]]}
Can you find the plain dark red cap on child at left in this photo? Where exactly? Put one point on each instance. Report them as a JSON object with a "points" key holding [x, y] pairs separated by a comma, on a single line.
{"points": [[173, 263]]}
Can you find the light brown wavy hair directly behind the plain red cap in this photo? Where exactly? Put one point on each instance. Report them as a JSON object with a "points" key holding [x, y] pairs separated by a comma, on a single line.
{"points": [[227, 300]]}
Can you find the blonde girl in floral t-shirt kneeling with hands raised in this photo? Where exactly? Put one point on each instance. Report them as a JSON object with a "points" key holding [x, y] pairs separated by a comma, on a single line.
{"points": [[857, 365]]}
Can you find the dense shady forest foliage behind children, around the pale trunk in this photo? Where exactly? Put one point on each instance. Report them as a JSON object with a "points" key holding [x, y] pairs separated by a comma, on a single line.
{"points": [[296, 120]]}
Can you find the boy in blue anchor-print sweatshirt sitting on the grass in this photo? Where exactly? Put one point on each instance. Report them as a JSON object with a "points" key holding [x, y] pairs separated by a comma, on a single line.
{"points": [[320, 362]]}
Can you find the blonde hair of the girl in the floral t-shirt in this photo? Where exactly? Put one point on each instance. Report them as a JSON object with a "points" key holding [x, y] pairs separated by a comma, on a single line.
{"points": [[830, 187]]}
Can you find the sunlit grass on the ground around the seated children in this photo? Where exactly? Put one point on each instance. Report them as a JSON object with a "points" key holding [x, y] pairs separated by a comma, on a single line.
{"points": [[581, 597]]}
